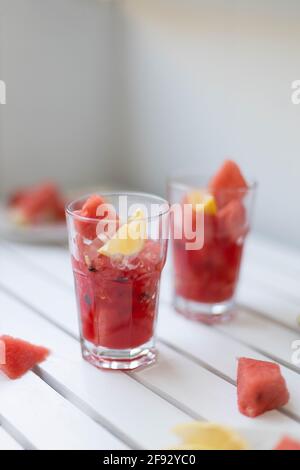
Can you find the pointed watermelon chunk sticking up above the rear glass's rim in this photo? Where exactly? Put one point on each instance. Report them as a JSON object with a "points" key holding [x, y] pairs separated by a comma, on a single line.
{"points": [[228, 183]]}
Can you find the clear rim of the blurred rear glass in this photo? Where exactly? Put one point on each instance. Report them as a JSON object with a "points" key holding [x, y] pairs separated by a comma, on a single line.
{"points": [[174, 181]]}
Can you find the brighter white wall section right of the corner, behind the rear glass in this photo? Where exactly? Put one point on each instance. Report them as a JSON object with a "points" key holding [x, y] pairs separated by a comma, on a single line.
{"points": [[205, 79]]}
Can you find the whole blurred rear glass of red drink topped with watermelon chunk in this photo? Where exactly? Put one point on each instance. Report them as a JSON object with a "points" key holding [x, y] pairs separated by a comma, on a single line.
{"points": [[216, 216]]}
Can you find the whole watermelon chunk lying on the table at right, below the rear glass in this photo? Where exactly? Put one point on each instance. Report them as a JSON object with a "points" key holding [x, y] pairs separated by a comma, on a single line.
{"points": [[261, 387]]}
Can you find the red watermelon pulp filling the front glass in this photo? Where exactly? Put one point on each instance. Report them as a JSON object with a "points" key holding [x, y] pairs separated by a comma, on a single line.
{"points": [[118, 299]]}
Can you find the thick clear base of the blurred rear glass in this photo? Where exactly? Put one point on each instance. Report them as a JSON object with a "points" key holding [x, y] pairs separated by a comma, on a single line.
{"points": [[206, 313]]}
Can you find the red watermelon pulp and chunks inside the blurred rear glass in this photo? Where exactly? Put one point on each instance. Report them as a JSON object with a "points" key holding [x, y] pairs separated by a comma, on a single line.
{"points": [[210, 274]]}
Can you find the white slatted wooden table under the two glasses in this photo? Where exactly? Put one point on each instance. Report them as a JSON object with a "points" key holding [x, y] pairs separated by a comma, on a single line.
{"points": [[68, 404]]}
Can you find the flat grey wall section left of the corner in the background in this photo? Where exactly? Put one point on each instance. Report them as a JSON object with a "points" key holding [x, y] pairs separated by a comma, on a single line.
{"points": [[55, 58]]}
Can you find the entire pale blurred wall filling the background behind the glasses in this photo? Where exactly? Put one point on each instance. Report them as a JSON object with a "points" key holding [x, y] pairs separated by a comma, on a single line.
{"points": [[132, 90]]}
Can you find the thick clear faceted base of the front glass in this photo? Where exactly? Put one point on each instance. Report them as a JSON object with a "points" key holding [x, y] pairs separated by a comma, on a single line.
{"points": [[119, 359]]}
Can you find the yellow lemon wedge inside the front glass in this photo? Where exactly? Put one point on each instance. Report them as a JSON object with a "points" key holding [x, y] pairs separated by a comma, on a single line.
{"points": [[129, 239]]}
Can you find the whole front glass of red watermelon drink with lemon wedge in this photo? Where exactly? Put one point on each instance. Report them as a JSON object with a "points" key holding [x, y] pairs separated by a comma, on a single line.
{"points": [[117, 263]]}
